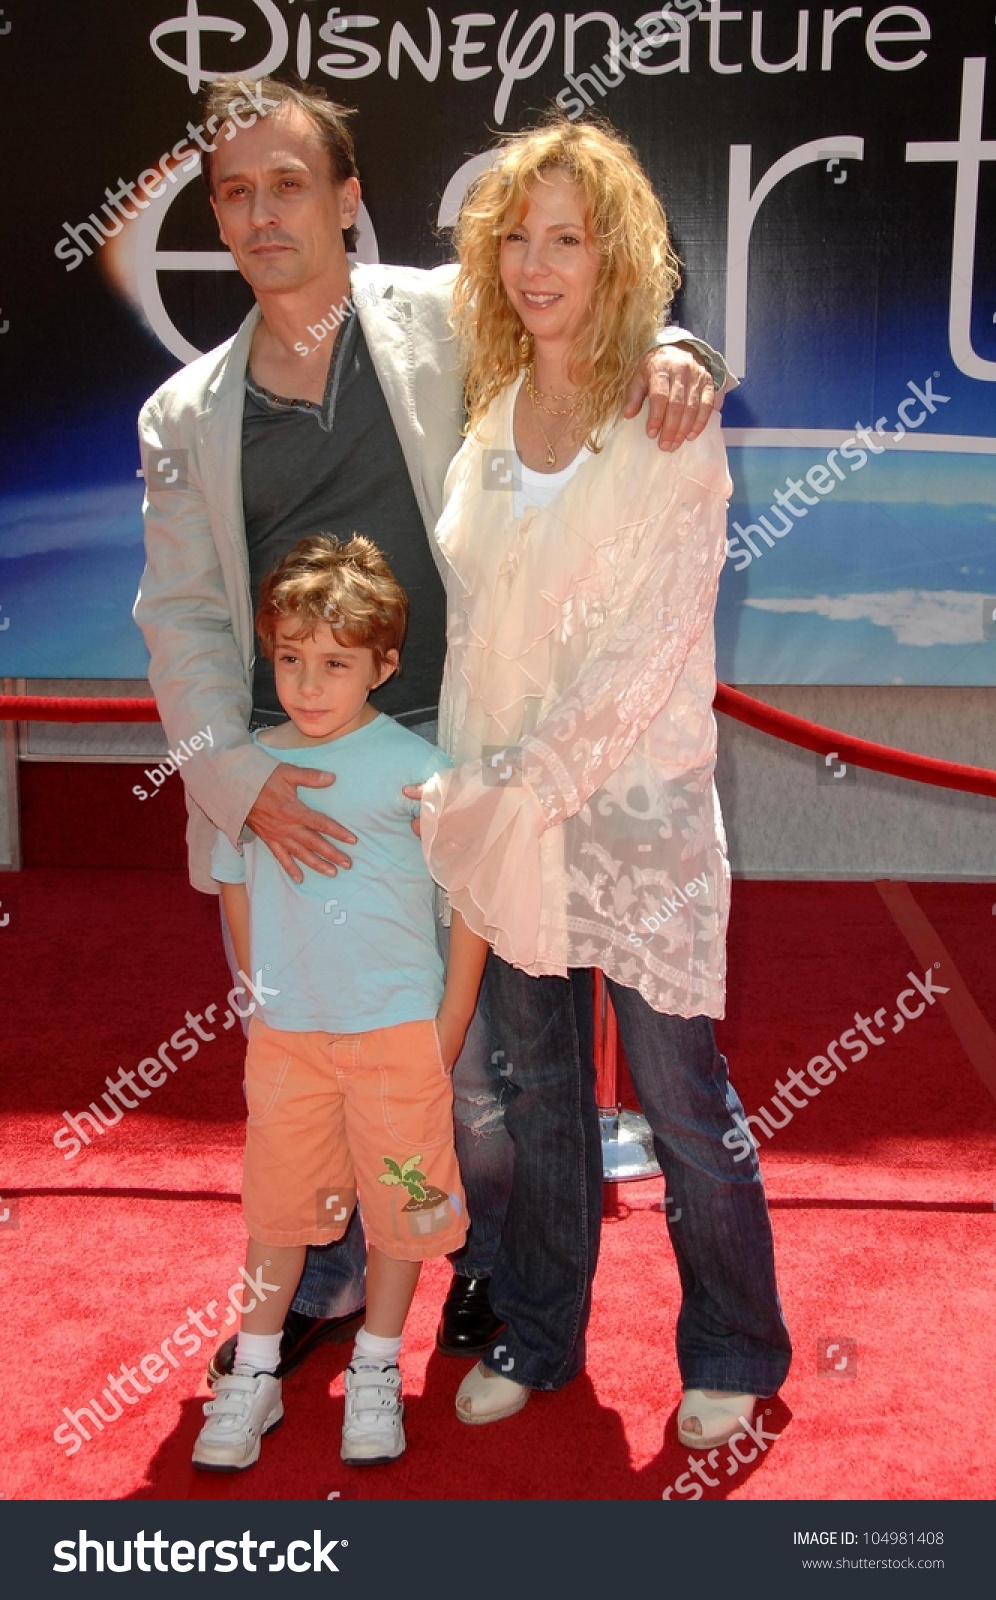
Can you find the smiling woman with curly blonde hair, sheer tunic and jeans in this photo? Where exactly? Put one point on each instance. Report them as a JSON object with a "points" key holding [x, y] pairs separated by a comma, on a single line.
{"points": [[582, 828]]}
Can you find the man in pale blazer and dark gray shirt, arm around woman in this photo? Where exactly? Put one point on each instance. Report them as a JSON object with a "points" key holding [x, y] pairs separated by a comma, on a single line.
{"points": [[337, 407]]}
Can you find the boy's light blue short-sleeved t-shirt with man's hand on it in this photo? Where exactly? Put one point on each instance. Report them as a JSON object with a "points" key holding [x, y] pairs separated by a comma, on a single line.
{"points": [[358, 951]]}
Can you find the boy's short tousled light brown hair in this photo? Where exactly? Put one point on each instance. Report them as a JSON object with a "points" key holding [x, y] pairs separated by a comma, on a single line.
{"points": [[350, 586]]}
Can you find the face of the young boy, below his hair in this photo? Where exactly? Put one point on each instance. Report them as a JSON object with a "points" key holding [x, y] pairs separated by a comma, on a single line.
{"points": [[324, 686]]}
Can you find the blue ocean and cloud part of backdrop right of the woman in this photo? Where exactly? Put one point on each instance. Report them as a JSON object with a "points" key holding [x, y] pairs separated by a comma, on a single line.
{"points": [[883, 582]]}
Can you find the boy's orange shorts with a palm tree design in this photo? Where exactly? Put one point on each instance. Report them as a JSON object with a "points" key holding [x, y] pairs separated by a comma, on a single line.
{"points": [[337, 1114]]}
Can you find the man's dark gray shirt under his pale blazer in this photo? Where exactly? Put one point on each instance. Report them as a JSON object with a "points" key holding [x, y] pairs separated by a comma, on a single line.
{"points": [[339, 468]]}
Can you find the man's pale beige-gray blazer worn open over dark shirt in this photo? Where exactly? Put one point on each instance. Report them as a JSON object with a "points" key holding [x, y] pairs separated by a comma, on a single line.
{"points": [[195, 604]]}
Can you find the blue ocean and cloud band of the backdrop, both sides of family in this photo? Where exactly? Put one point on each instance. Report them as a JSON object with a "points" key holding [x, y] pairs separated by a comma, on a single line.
{"points": [[885, 582]]}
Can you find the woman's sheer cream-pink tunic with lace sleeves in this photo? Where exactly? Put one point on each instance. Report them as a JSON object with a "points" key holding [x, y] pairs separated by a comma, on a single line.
{"points": [[582, 826]]}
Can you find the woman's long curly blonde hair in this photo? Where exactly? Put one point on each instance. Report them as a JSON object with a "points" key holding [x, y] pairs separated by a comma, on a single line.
{"points": [[638, 274]]}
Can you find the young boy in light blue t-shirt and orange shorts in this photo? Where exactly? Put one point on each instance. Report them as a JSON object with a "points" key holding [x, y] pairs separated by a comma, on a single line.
{"points": [[348, 1079]]}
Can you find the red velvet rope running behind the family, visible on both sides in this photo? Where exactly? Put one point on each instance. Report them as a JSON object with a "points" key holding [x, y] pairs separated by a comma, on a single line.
{"points": [[768, 719]]}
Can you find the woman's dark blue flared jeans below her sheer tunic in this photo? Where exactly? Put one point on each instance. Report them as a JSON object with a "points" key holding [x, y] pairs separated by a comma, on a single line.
{"points": [[731, 1332]]}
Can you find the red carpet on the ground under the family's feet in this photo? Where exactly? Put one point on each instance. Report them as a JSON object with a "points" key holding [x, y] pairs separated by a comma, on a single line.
{"points": [[882, 1199]]}
